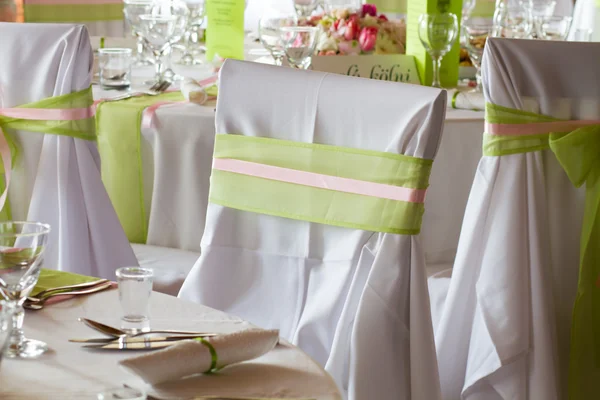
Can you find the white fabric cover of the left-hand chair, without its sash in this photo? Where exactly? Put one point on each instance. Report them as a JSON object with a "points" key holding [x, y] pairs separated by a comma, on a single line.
{"points": [[56, 179]]}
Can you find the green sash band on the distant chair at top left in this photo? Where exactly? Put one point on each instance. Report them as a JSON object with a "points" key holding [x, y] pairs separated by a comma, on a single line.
{"points": [[73, 12]]}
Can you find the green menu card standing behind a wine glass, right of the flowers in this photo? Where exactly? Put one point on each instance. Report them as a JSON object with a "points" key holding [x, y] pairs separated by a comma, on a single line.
{"points": [[449, 67]]}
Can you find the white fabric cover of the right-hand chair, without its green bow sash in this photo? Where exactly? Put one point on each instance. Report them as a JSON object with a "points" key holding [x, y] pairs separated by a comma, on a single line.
{"points": [[504, 331]]}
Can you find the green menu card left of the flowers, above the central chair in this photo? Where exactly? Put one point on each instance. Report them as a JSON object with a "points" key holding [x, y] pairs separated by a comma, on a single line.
{"points": [[225, 28]]}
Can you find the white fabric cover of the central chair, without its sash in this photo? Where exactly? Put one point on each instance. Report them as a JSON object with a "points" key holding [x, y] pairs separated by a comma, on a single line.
{"points": [[356, 301]]}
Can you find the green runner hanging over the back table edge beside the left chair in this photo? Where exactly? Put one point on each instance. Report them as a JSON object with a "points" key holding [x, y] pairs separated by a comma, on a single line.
{"points": [[118, 124]]}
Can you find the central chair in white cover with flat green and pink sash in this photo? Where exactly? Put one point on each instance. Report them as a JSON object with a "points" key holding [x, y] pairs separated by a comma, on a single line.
{"points": [[340, 274]]}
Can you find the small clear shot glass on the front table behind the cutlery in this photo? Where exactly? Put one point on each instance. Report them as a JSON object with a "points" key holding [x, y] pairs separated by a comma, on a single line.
{"points": [[135, 287]]}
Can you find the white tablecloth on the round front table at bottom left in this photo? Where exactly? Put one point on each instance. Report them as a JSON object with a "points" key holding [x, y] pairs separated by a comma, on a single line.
{"points": [[70, 372]]}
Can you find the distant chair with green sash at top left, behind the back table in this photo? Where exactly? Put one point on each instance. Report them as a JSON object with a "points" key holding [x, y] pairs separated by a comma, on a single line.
{"points": [[101, 17]]}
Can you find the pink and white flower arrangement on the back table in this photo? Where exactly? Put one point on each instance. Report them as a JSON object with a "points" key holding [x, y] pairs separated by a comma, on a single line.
{"points": [[353, 33]]}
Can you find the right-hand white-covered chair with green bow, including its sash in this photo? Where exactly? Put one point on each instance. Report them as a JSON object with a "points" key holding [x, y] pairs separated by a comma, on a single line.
{"points": [[507, 329]]}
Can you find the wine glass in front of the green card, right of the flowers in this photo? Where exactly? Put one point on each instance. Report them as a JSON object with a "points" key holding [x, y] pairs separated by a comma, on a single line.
{"points": [[437, 33]]}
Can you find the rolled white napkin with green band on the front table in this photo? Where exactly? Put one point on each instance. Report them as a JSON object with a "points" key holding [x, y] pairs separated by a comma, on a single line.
{"points": [[190, 357]]}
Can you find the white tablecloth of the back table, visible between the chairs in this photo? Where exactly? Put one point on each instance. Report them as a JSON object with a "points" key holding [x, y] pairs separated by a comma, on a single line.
{"points": [[177, 157]]}
